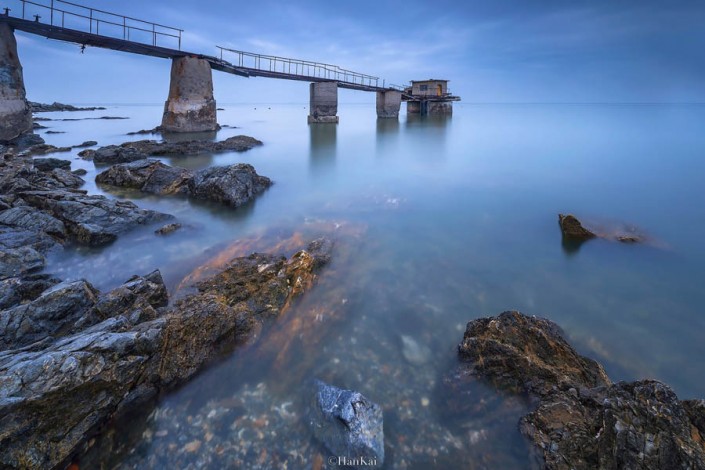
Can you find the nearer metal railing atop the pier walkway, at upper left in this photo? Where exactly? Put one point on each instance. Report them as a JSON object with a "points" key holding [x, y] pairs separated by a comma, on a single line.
{"points": [[70, 12]]}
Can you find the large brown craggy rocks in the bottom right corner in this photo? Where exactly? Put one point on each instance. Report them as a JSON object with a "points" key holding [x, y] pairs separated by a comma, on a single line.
{"points": [[583, 420]]}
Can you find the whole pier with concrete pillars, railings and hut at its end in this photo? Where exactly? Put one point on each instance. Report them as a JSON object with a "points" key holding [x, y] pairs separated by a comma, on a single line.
{"points": [[190, 106]]}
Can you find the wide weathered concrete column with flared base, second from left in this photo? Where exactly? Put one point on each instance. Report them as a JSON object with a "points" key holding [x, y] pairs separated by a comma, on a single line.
{"points": [[190, 106]]}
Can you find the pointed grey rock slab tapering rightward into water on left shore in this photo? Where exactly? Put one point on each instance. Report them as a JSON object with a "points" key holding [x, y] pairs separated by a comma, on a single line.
{"points": [[91, 220]]}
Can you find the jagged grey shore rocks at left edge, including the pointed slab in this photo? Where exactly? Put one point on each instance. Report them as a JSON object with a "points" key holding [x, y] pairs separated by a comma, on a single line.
{"points": [[41, 208]]}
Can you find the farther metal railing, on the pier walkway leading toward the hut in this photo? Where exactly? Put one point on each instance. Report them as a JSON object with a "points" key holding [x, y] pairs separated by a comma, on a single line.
{"points": [[301, 68]]}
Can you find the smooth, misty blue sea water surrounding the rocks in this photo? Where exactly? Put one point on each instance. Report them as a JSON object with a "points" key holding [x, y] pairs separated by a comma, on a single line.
{"points": [[454, 219]]}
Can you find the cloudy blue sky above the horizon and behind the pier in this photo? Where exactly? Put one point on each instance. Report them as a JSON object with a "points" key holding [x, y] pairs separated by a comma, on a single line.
{"points": [[506, 51]]}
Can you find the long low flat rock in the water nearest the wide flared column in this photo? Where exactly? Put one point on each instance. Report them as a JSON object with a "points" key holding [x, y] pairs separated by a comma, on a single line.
{"points": [[142, 149]]}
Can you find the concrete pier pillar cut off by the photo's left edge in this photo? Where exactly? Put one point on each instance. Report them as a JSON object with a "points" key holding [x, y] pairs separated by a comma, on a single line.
{"points": [[15, 113]]}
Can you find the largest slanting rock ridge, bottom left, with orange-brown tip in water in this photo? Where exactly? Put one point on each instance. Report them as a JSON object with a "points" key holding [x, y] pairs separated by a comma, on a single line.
{"points": [[109, 352]]}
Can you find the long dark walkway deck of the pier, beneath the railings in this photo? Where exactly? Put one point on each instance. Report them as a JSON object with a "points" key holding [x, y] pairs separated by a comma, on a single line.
{"points": [[107, 42]]}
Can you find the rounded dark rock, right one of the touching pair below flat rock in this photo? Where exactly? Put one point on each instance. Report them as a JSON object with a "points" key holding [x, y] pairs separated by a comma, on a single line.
{"points": [[232, 185]]}
